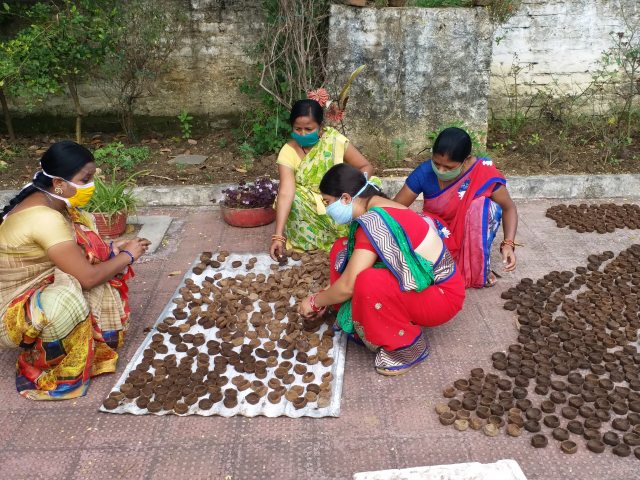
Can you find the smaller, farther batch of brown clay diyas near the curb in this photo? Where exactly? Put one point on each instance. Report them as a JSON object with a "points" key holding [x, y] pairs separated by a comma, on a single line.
{"points": [[603, 218]]}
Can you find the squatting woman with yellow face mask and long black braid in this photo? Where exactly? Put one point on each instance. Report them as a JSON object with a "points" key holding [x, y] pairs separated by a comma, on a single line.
{"points": [[63, 292]]}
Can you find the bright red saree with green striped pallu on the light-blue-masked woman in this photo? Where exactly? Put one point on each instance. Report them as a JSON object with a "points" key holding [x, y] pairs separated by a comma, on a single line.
{"points": [[399, 294]]}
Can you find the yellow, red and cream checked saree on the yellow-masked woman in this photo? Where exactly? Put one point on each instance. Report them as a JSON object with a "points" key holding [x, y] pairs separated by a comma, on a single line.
{"points": [[67, 335]]}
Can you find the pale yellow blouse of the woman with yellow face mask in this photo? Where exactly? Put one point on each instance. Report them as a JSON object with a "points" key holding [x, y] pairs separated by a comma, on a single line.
{"points": [[34, 230]]}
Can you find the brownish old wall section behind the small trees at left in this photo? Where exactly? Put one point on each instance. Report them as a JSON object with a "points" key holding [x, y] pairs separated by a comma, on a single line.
{"points": [[205, 73]]}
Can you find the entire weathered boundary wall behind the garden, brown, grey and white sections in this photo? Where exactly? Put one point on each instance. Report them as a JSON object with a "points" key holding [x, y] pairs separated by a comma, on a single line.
{"points": [[424, 66]]}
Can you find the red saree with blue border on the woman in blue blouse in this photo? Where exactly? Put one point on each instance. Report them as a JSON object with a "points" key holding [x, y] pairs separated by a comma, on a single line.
{"points": [[468, 219]]}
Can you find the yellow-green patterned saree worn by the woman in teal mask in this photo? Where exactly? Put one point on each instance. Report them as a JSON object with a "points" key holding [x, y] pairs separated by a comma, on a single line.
{"points": [[308, 226]]}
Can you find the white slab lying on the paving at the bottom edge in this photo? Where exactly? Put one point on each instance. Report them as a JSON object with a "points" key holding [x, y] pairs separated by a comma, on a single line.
{"points": [[500, 470]]}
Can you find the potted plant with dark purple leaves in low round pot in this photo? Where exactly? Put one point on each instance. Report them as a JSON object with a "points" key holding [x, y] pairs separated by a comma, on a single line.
{"points": [[250, 204]]}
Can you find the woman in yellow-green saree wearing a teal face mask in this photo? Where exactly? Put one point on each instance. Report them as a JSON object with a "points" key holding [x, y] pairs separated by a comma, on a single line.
{"points": [[301, 220]]}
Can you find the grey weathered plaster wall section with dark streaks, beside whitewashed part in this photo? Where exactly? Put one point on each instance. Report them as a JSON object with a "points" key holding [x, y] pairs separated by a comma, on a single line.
{"points": [[424, 67]]}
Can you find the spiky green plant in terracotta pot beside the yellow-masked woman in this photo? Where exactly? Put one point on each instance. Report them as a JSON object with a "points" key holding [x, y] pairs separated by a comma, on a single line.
{"points": [[112, 202]]}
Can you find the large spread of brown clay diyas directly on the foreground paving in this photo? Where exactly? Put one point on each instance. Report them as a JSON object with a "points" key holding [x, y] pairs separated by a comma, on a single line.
{"points": [[574, 373]]}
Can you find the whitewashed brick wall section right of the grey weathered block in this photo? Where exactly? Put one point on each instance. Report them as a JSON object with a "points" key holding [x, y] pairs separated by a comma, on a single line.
{"points": [[557, 44]]}
